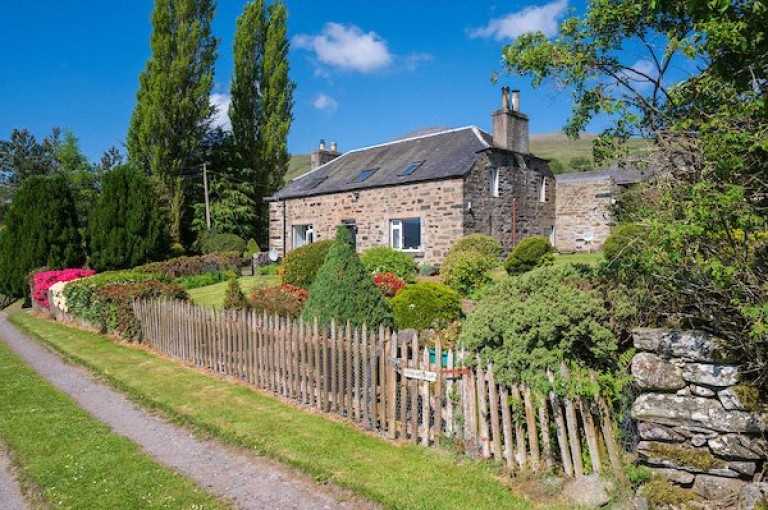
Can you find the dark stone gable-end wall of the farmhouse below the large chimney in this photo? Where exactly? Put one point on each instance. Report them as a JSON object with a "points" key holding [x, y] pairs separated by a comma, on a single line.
{"points": [[519, 211]]}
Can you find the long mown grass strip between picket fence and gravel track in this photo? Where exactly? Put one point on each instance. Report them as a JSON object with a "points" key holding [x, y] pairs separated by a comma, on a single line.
{"points": [[396, 476]]}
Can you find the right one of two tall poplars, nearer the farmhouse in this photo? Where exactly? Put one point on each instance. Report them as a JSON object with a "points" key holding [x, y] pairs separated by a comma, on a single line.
{"points": [[262, 100]]}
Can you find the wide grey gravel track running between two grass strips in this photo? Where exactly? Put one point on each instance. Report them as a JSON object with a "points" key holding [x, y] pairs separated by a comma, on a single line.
{"points": [[250, 482]]}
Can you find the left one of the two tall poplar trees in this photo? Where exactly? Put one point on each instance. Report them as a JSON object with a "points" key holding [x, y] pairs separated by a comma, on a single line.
{"points": [[173, 111]]}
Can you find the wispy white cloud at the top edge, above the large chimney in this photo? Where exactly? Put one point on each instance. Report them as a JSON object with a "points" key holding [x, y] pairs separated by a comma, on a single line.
{"points": [[542, 18]]}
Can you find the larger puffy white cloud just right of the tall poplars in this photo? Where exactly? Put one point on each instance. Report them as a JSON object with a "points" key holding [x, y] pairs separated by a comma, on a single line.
{"points": [[347, 47]]}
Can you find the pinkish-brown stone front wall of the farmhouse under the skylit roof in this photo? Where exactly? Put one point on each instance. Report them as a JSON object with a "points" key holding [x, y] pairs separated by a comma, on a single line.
{"points": [[439, 205]]}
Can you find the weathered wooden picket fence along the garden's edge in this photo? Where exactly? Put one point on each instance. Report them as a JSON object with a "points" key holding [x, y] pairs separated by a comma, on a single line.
{"points": [[390, 383]]}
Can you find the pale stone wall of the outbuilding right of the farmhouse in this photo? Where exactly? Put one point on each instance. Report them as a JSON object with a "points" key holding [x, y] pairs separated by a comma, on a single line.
{"points": [[581, 207]]}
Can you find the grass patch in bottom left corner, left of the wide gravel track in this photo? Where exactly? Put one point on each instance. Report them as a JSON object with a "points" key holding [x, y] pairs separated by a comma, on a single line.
{"points": [[66, 459]]}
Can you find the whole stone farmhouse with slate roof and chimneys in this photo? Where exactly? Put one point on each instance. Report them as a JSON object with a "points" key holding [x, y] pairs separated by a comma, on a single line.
{"points": [[420, 194]]}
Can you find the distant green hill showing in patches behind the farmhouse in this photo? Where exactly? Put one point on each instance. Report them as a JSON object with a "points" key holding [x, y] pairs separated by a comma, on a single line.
{"points": [[565, 155]]}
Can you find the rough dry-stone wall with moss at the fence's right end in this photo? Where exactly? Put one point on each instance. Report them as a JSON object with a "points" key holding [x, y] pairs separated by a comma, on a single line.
{"points": [[698, 426]]}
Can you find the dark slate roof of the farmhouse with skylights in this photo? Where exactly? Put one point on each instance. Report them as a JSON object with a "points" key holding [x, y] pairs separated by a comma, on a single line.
{"points": [[446, 154]]}
